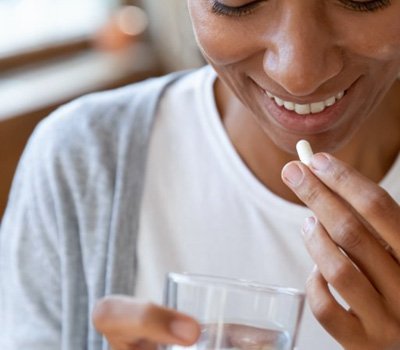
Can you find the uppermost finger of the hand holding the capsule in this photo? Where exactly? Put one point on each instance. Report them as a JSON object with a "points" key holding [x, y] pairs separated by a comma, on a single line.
{"points": [[371, 201]]}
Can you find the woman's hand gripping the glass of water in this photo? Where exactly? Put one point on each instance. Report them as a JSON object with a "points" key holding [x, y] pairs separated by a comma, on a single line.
{"points": [[129, 324]]}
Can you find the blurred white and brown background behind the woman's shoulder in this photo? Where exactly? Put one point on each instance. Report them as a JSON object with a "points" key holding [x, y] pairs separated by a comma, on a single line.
{"points": [[52, 51]]}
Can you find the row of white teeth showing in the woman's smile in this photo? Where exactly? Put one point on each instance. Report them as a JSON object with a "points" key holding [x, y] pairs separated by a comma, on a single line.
{"points": [[309, 108]]}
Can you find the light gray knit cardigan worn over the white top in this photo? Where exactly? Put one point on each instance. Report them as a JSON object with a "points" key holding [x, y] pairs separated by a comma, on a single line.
{"points": [[69, 232]]}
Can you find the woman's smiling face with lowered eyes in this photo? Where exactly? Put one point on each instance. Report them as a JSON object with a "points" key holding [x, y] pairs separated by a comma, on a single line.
{"points": [[311, 69]]}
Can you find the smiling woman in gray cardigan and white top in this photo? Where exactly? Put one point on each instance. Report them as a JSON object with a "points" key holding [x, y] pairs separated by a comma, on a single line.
{"points": [[213, 196]]}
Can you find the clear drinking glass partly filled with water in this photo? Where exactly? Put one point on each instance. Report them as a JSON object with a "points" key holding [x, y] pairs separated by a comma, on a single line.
{"points": [[236, 314]]}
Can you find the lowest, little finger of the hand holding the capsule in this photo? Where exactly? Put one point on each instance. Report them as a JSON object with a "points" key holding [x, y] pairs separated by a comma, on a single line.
{"points": [[342, 325]]}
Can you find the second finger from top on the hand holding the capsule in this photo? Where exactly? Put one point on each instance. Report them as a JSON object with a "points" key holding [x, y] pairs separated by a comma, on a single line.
{"points": [[345, 229]]}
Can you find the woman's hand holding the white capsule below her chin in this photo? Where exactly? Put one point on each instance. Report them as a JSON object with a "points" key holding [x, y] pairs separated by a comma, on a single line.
{"points": [[354, 240]]}
